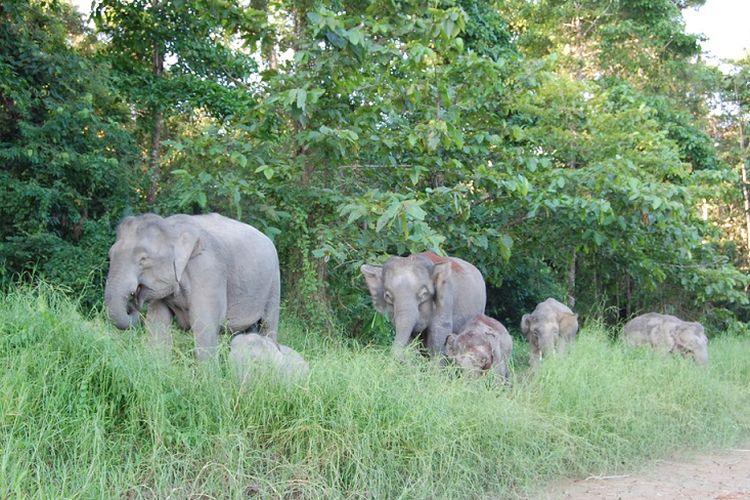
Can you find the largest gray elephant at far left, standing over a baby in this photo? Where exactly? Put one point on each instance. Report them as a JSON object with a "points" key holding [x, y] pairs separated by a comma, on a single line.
{"points": [[205, 271]]}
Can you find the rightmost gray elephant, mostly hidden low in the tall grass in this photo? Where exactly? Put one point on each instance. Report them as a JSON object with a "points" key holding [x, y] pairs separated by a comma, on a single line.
{"points": [[668, 333]]}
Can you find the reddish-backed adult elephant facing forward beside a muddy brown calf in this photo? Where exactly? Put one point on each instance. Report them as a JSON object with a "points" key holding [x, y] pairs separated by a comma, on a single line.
{"points": [[426, 293]]}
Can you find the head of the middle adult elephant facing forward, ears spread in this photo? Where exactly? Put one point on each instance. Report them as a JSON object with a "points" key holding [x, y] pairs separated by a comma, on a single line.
{"points": [[408, 290]]}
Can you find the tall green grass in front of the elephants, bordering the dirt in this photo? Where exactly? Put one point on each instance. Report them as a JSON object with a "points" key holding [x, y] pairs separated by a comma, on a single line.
{"points": [[87, 411]]}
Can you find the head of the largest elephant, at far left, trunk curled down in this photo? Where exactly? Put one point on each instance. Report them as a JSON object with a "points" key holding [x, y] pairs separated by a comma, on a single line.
{"points": [[146, 262]]}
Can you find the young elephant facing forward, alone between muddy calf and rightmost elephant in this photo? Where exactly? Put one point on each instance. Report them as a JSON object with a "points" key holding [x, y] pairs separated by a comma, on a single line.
{"points": [[549, 328]]}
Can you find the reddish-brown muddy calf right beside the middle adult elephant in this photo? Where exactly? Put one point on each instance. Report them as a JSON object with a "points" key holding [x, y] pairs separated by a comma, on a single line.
{"points": [[483, 344]]}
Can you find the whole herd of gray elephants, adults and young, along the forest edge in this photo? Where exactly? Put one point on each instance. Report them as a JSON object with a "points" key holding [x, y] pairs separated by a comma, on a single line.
{"points": [[209, 272]]}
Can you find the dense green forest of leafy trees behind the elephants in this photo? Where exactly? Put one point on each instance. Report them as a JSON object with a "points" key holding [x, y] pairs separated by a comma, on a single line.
{"points": [[577, 149]]}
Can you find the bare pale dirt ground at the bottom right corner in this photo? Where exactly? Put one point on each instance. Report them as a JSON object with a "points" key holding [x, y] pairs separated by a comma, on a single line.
{"points": [[723, 475]]}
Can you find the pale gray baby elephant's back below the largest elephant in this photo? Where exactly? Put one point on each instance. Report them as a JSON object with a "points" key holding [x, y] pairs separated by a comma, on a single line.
{"points": [[250, 351]]}
